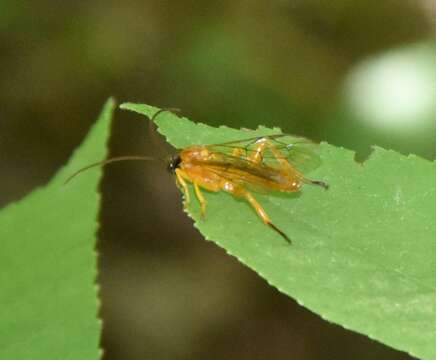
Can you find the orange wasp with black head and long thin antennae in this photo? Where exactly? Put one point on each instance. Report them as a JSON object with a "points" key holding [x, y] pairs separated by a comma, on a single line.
{"points": [[262, 164]]}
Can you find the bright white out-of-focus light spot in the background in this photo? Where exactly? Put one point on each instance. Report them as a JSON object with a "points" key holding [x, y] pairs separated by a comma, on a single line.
{"points": [[395, 91]]}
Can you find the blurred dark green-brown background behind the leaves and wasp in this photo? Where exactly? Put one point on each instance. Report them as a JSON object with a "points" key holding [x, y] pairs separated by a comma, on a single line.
{"points": [[351, 72]]}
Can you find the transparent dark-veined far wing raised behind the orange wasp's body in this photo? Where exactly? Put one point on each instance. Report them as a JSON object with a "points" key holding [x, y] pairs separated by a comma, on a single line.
{"points": [[301, 153]]}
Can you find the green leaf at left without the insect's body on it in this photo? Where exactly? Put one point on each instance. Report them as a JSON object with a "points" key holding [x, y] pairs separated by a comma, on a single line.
{"points": [[48, 263]]}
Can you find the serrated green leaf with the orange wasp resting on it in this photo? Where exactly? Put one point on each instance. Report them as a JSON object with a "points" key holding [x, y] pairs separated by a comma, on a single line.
{"points": [[363, 253]]}
